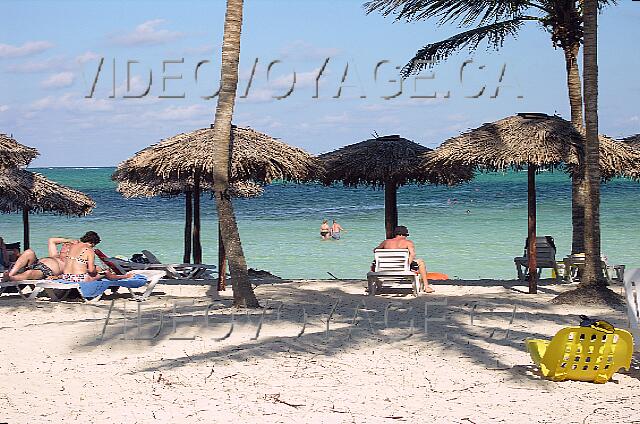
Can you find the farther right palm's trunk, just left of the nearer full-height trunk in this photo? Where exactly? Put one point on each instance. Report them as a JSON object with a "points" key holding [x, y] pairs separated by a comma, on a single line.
{"points": [[578, 183]]}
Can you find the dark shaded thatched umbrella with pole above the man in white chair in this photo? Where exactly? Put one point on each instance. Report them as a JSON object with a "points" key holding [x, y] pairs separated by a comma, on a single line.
{"points": [[385, 162]]}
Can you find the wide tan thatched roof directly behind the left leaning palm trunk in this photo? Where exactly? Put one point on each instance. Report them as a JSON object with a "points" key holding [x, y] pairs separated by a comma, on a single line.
{"points": [[255, 156]]}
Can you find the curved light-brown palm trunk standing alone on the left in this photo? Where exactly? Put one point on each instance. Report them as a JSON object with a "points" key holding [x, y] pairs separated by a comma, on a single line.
{"points": [[243, 294]]}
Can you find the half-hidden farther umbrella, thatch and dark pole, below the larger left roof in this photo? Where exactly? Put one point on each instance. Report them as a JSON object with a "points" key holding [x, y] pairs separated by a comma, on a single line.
{"points": [[243, 189]]}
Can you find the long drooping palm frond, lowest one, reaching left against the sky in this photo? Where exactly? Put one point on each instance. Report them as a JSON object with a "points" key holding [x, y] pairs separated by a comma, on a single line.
{"points": [[495, 34]]}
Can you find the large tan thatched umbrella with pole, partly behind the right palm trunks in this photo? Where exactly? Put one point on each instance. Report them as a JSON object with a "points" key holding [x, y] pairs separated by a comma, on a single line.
{"points": [[535, 141]]}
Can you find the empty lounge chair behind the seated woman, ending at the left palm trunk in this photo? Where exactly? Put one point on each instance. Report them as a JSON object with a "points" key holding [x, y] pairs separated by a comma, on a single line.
{"points": [[173, 271]]}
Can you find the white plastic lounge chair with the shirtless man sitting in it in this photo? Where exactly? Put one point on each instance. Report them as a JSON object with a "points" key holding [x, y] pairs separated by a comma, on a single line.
{"points": [[391, 271]]}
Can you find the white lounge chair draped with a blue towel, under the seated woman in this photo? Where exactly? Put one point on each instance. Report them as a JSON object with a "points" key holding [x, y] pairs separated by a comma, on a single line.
{"points": [[92, 291]]}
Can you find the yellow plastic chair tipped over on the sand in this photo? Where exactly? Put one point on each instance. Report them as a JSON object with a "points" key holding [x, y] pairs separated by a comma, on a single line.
{"points": [[582, 353]]}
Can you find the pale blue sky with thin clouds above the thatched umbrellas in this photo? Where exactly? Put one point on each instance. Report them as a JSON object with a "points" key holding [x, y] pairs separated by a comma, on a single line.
{"points": [[50, 52]]}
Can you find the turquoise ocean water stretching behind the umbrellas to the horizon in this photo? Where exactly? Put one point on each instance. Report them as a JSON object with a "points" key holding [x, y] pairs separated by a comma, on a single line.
{"points": [[280, 230]]}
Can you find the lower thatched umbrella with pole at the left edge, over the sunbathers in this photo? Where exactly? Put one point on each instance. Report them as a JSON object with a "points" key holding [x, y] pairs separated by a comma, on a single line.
{"points": [[24, 191]]}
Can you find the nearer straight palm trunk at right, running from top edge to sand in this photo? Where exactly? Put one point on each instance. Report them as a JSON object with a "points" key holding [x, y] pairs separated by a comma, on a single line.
{"points": [[593, 266]]}
